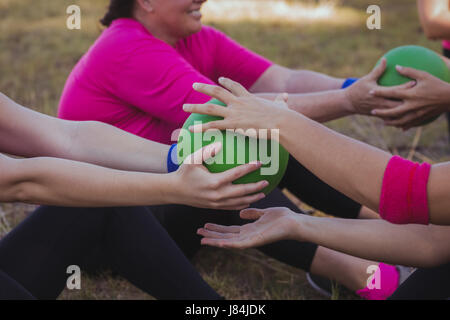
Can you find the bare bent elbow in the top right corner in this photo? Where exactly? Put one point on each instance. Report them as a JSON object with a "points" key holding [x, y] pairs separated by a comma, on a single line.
{"points": [[435, 18]]}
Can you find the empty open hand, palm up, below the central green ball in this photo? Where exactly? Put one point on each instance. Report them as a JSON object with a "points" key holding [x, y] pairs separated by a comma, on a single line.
{"points": [[271, 225]]}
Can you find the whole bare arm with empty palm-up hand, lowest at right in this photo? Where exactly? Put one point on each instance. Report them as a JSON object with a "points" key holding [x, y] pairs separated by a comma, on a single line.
{"points": [[377, 240]]}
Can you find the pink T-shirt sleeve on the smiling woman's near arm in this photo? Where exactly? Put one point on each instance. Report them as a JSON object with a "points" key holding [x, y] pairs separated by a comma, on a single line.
{"points": [[158, 81]]}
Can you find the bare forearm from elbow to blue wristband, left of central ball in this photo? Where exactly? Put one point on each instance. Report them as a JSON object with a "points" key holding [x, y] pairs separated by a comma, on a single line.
{"points": [[104, 145]]}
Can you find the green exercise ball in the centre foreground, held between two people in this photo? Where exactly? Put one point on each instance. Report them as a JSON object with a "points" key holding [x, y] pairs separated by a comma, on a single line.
{"points": [[245, 150]]}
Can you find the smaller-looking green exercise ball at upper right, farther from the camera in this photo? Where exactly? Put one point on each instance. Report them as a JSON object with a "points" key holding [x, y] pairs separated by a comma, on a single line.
{"points": [[416, 57]]}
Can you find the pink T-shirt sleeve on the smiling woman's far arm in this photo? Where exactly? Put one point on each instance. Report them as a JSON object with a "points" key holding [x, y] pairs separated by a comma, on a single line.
{"points": [[237, 62]]}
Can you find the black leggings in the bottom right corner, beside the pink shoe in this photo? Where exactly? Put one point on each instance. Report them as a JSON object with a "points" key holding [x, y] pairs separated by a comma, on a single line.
{"points": [[430, 283]]}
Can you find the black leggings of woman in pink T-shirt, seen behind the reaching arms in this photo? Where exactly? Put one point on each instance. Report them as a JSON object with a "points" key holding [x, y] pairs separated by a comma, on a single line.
{"points": [[182, 222]]}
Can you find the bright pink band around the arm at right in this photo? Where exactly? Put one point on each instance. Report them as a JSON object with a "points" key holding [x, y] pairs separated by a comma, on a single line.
{"points": [[404, 192]]}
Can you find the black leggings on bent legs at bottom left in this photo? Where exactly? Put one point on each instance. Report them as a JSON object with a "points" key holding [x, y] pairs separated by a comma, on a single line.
{"points": [[129, 241]]}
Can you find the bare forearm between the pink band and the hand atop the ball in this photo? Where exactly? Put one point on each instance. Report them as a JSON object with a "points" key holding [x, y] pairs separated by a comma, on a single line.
{"points": [[352, 167]]}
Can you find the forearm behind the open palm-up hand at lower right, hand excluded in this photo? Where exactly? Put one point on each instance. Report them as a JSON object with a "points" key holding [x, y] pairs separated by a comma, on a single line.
{"points": [[377, 240]]}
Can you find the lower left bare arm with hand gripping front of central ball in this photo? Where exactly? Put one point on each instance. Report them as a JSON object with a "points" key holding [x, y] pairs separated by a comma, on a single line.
{"points": [[63, 182]]}
